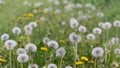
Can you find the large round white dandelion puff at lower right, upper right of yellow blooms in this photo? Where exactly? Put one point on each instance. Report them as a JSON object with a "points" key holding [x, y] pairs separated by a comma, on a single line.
{"points": [[97, 52]]}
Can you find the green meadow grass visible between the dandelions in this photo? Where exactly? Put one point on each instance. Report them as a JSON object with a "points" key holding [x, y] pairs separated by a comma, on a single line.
{"points": [[12, 10]]}
